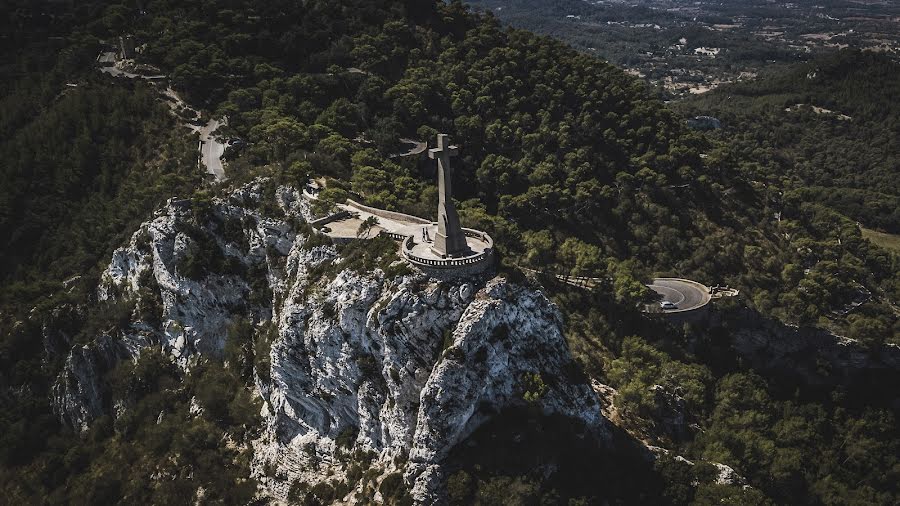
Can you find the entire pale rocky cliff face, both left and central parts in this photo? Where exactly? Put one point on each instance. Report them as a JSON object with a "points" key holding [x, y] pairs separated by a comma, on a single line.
{"points": [[398, 367]]}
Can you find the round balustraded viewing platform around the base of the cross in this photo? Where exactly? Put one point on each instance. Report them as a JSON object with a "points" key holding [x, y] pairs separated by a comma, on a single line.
{"points": [[417, 249]]}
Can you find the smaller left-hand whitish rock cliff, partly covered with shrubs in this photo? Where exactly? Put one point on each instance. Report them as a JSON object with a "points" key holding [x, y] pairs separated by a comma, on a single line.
{"points": [[185, 317]]}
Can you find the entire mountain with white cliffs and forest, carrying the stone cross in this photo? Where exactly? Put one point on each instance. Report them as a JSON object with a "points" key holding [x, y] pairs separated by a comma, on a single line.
{"points": [[570, 164]]}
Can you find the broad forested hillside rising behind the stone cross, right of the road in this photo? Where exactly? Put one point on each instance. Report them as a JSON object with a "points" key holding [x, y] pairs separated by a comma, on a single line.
{"points": [[566, 160]]}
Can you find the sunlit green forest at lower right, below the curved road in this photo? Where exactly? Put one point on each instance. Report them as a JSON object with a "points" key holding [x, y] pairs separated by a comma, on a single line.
{"points": [[684, 388]]}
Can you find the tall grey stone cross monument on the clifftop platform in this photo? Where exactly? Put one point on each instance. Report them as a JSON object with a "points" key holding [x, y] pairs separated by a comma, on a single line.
{"points": [[449, 241]]}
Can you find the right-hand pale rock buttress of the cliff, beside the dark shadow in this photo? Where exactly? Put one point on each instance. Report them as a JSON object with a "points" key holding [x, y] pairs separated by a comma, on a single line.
{"points": [[501, 341]]}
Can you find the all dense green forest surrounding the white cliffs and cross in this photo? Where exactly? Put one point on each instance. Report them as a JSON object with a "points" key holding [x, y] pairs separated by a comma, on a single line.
{"points": [[572, 165]]}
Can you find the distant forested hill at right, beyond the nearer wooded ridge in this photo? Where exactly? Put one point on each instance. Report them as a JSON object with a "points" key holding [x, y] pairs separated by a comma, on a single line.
{"points": [[829, 131]]}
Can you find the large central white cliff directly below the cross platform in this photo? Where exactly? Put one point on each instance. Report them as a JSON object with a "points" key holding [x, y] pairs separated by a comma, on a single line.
{"points": [[407, 365]]}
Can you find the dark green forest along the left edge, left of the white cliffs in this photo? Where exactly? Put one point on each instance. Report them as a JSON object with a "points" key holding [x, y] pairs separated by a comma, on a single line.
{"points": [[82, 166]]}
